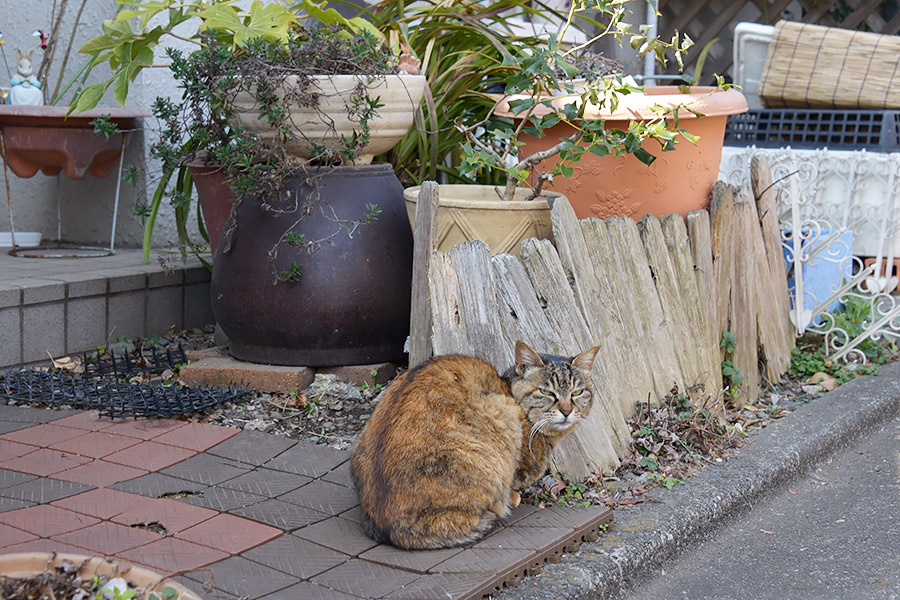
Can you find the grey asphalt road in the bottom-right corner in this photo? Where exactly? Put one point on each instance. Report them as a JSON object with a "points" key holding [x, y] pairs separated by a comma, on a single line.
{"points": [[833, 533]]}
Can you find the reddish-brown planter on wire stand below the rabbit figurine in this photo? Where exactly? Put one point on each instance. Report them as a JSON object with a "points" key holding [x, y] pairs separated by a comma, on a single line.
{"points": [[43, 138]]}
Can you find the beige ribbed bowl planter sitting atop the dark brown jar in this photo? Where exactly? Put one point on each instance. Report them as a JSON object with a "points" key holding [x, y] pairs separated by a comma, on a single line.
{"points": [[326, 123]]}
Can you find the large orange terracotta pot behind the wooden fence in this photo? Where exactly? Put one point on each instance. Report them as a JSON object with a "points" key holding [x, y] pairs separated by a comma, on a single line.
{"points": [[678, 181]]}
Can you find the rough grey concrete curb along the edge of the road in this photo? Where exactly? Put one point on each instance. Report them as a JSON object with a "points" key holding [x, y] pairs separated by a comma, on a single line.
{"points": [[646, 535]]}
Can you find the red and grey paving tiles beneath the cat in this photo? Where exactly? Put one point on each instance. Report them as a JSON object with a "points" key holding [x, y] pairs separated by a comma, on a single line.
{"points": [[251, 515]]}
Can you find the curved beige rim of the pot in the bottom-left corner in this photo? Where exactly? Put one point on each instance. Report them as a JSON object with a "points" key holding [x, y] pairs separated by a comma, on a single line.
{"points": [[26, 564]]}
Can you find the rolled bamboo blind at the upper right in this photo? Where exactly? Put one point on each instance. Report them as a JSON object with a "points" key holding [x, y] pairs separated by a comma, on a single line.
{"points": [[825, 67]]}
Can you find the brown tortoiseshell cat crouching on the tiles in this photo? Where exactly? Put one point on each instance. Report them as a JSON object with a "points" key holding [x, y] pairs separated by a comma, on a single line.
{"points": [[450, 442]]}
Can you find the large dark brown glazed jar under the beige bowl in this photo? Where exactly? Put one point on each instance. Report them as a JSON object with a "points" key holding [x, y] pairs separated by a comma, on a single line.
{"points": [[349, 302]]}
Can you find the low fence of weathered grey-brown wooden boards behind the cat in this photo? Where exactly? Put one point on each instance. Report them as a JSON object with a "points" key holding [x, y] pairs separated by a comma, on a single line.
{"points": [[655, 298]]}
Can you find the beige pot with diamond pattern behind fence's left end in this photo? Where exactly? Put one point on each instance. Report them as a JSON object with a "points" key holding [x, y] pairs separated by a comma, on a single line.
{"points": [[475, 212]]}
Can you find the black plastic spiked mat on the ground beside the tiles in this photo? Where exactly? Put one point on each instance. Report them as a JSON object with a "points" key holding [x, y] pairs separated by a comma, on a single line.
{"points": [[118, 386]]}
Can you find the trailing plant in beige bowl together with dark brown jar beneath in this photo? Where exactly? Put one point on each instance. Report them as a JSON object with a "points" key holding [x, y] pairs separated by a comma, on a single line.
{"points": [[314, 265]]}
